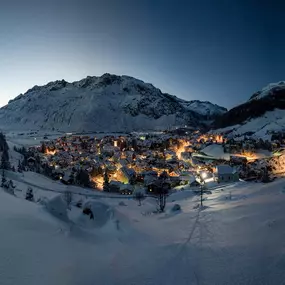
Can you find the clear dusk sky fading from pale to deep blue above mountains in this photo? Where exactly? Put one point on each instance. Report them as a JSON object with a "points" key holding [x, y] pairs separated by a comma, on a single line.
{"points": [[216, 50]]}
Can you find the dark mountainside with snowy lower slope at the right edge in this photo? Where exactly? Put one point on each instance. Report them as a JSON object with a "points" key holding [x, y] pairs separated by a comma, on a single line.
{"points": [[262, 113]]}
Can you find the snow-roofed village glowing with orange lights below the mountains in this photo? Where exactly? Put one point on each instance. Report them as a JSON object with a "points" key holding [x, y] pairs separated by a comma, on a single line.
{"points": [[181, 157]]}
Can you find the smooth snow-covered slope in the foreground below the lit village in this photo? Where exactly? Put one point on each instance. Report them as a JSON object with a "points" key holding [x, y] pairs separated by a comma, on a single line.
{"points": [[237, 238]]}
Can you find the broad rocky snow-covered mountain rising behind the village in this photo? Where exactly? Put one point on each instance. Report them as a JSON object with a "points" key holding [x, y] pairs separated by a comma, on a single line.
{"points": [[106, 103]]}
